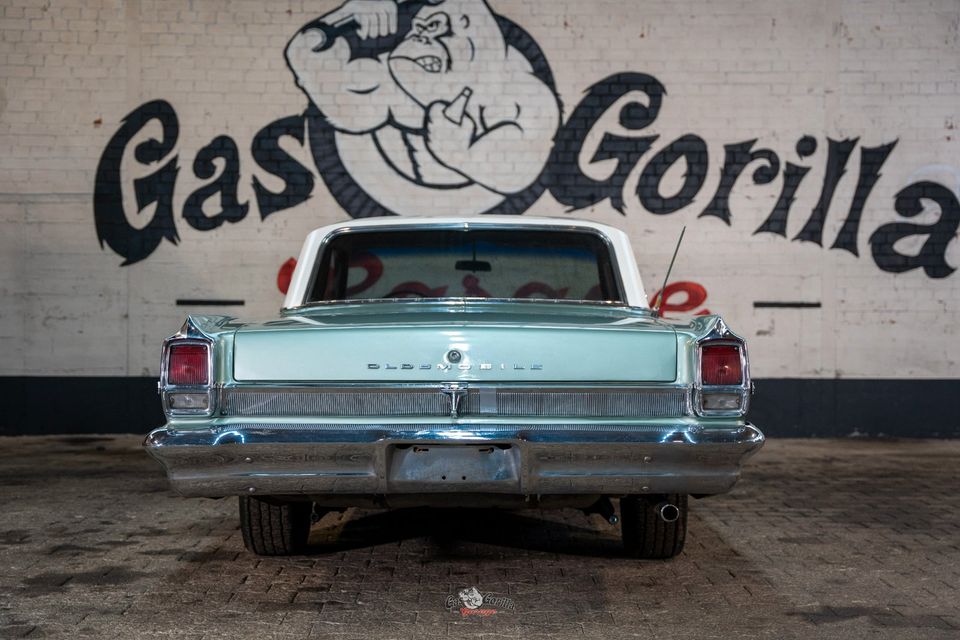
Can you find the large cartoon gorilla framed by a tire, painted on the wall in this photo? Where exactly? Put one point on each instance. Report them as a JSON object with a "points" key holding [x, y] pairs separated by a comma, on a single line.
{"points": [[437, 107]]}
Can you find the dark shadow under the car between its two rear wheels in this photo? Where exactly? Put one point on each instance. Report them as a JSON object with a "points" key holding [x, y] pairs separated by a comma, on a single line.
{"points": [[464, 530]]}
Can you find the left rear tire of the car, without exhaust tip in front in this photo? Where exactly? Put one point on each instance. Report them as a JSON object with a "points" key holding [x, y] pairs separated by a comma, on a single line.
{"points": [[273, 527]]}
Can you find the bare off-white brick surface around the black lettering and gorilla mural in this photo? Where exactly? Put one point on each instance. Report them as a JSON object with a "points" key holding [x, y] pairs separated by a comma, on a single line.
{"points": [[734, 70]]}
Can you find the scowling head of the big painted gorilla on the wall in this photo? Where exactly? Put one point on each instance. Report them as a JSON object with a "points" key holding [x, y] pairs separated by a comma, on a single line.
{"points": [[442, 52]]}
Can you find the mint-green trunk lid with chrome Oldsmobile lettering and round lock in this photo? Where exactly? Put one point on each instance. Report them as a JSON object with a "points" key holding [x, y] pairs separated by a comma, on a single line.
{"points": [[411, 341]]}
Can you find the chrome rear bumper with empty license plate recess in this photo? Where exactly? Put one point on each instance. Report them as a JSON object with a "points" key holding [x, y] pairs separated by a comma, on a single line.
{"points": [[503, 459]]}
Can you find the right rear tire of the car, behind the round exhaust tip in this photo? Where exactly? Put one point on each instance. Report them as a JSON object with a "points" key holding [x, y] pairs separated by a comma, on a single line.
{"points": [[654, 526]]}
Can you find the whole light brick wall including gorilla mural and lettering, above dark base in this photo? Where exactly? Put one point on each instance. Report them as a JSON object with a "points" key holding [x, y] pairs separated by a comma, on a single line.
{"points": [[861, 97]]}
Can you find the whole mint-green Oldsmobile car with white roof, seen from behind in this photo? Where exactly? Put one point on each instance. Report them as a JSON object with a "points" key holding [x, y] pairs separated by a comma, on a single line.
{"points": [[499, 362]]}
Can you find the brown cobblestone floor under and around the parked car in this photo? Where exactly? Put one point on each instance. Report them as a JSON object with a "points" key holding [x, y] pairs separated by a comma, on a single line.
{"points": [[821, 539]]}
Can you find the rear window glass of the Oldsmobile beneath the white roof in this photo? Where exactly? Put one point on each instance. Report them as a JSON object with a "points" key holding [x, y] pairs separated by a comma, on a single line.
{"points": [[473, 263]]}
